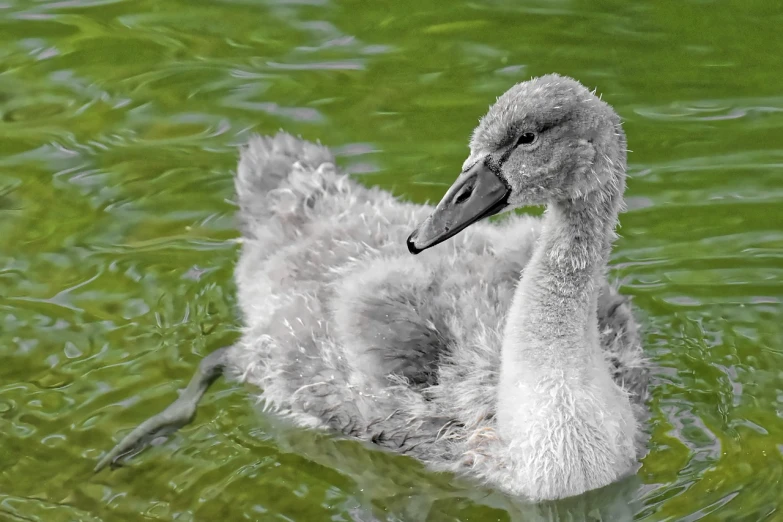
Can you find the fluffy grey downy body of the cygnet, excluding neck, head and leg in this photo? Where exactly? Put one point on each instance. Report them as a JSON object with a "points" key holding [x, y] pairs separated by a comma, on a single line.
{"points": [[346, 330]]}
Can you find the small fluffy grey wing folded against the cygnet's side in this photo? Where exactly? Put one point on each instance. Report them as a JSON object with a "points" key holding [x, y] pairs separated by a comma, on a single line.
{"points": [[388, 319]]}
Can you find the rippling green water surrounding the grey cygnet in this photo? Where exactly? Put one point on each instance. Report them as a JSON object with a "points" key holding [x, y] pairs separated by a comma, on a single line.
{"points": [[119, 122]]}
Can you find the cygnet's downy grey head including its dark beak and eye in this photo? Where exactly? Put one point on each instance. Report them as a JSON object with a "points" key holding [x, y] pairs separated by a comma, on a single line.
{"points": [[544, 140]]}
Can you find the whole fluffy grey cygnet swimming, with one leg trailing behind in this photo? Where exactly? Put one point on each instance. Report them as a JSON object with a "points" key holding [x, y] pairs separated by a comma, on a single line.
{"points": [[503, 355]]}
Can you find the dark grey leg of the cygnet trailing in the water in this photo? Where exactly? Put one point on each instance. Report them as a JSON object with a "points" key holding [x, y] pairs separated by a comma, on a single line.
{"points": [[178, 414]]}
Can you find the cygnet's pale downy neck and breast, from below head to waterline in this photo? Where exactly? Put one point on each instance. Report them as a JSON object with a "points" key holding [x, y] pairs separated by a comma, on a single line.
{"points": [[568, 426]]}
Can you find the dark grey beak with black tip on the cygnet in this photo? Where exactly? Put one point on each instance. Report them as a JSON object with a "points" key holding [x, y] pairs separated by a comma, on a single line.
{"points": [[479, 192]]}
